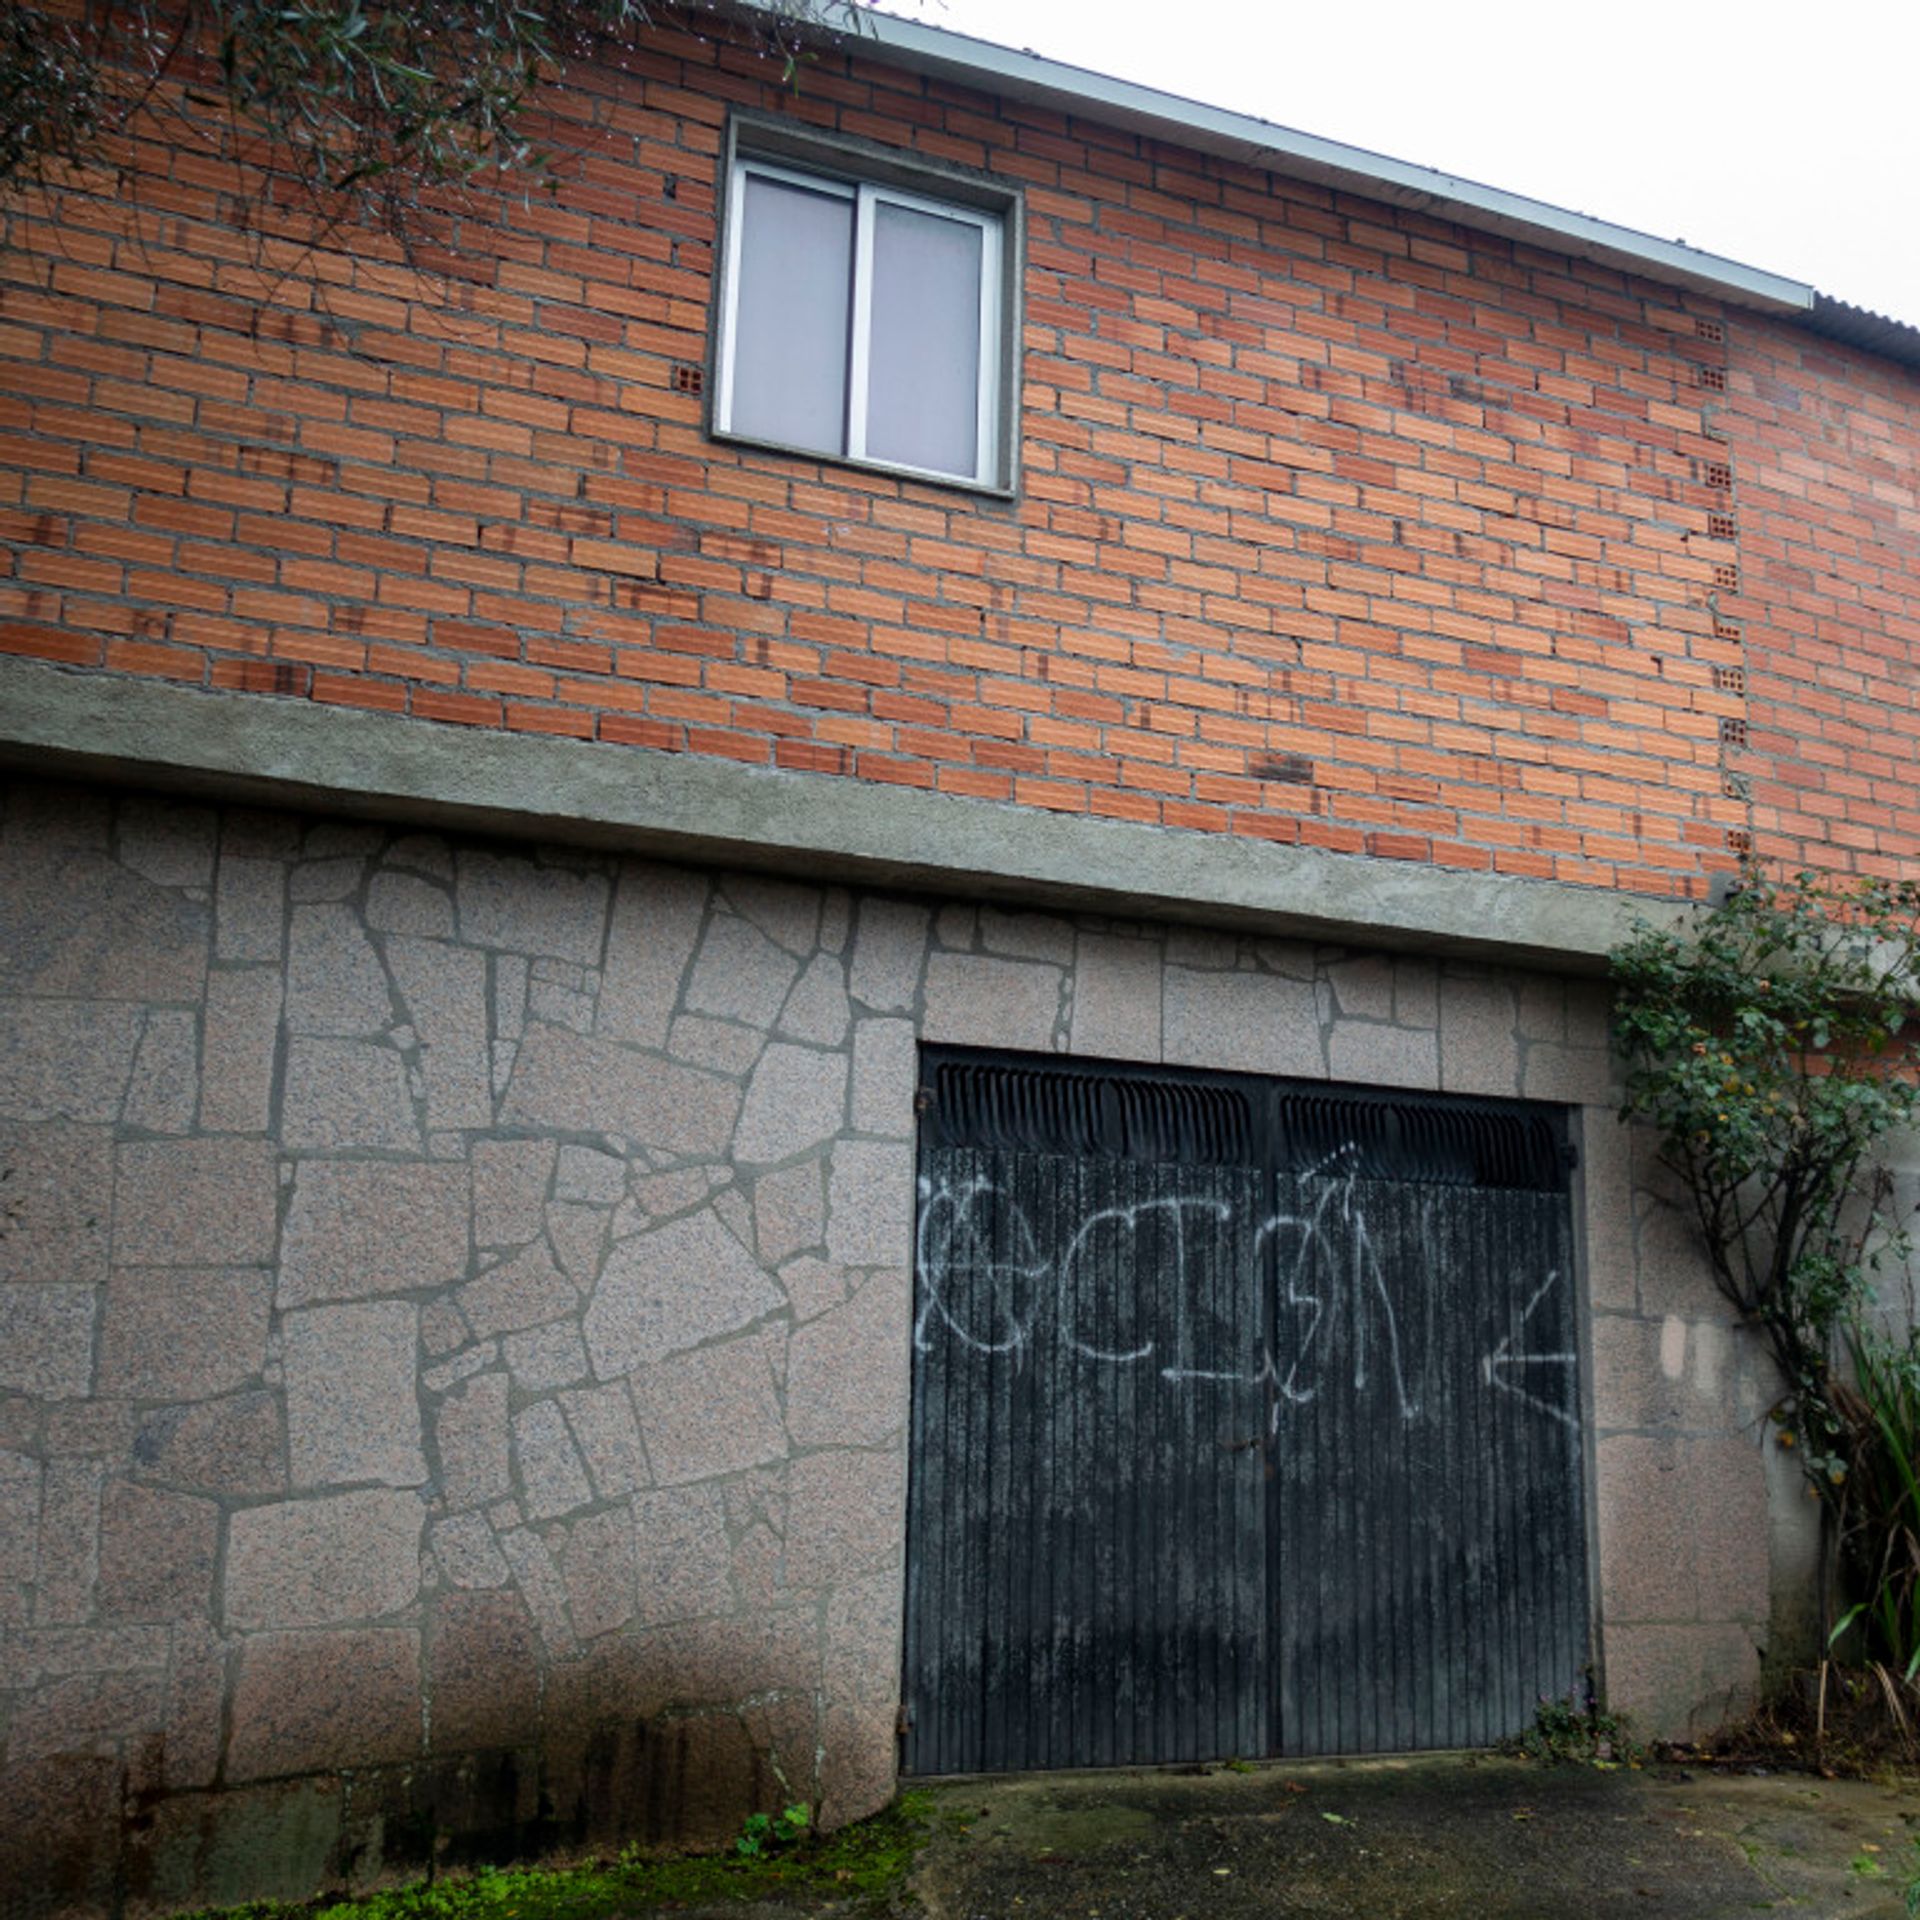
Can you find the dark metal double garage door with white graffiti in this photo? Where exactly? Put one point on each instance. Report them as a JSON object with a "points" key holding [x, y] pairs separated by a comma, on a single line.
{"points": [[1247, 1420]]}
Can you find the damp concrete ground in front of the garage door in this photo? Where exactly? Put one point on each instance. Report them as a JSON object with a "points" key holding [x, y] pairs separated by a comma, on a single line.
{"points": [[1431, 1838]]}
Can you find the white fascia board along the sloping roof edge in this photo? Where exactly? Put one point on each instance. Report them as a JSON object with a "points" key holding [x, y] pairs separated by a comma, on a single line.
{"points": [[1022, 76]]}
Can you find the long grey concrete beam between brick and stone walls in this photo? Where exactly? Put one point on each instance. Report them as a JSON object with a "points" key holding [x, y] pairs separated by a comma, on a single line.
{"points": [[690, 807]]}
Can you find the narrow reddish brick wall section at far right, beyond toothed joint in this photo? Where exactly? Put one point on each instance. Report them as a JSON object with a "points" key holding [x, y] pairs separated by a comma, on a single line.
{"points": [[1827, 452]]}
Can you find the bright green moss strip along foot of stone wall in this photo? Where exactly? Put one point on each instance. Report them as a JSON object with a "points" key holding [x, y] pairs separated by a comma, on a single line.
{"points": [[855, 1871]]}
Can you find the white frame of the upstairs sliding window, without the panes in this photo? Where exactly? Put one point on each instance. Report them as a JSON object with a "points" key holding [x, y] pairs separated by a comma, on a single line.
{"points": [[992, 466]]}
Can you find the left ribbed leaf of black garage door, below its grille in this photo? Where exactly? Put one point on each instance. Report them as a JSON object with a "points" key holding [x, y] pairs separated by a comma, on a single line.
{"points": [[1088, 1560]]}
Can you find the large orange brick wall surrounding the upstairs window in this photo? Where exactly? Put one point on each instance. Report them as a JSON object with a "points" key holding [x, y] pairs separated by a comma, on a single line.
{"points": [[1339, 525]]}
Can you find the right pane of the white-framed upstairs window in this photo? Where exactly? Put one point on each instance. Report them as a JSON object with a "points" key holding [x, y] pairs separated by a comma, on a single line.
{"points": [[923, 402]]}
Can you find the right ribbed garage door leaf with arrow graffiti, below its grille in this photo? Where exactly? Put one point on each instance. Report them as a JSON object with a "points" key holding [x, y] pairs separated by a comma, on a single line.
{"points": [[1429, 1564]]}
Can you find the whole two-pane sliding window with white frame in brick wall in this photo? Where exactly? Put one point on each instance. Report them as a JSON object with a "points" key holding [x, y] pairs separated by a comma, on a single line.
{"points": [[867, 320]]}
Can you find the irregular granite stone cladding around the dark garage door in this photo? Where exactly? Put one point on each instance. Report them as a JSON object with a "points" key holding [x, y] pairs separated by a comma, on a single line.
{"points": [[456, 1310]]}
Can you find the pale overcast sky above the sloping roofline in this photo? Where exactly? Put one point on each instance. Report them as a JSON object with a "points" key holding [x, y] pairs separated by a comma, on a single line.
{"points": [[1781, 137]]}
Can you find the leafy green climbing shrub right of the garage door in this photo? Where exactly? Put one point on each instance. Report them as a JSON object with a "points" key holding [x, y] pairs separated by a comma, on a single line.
{"points": [[1767, 1045]]}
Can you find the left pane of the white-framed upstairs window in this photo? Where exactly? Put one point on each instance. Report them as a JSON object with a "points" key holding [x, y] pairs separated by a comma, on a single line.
{"points": [[792, 316]]}
